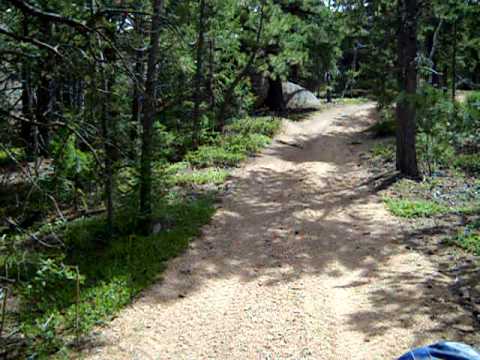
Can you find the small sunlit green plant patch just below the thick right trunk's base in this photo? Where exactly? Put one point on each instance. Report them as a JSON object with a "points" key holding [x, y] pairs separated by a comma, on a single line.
{"points": [[414, 208]]}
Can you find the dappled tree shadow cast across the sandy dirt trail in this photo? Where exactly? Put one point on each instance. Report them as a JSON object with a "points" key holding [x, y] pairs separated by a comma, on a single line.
{"points": [[312, 222]]}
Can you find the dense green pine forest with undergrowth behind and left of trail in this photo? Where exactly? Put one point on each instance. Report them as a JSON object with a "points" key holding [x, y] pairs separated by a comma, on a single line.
{"points": [[116, 117]]}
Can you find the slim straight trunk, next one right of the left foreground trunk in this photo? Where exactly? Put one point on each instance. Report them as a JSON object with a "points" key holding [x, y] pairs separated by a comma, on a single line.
{"points": [[198, 75]]}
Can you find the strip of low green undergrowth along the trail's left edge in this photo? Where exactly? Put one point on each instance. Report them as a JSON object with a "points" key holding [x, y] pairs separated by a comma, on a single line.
{"points": [[65, 291]]}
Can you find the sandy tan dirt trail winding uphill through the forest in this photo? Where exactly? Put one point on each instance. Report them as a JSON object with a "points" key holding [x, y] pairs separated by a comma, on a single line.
{"points": [[302, 261]]}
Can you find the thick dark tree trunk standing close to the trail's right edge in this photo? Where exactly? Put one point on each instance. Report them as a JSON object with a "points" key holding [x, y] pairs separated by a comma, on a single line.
{"points": [[406, 109]]}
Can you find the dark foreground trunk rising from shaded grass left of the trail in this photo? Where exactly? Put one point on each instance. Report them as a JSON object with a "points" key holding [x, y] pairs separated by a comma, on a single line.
{"points": [[148, 118]]}
